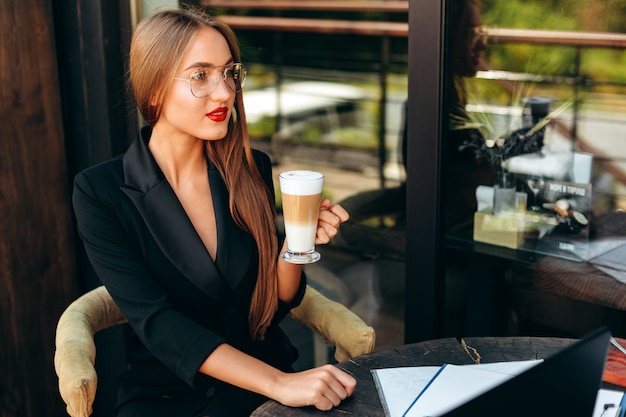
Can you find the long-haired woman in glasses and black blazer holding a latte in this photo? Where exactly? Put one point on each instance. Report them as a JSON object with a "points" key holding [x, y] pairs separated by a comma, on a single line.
{"points": [[181, 231]]}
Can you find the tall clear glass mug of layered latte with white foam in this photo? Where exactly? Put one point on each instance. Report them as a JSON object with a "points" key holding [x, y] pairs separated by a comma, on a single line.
{"points": [[301, 194]]}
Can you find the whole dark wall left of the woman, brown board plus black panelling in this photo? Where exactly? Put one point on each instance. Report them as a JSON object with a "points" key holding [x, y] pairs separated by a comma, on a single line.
{"points": [[62, 108]]}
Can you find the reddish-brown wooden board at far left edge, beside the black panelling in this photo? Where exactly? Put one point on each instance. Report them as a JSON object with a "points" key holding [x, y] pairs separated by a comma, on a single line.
{"points": [[37, 269]]}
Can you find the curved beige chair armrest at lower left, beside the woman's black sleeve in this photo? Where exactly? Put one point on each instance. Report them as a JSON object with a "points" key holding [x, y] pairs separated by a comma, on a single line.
{"points": [[76, 351]]}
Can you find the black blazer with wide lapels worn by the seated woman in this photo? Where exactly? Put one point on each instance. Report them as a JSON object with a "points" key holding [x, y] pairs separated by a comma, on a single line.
{"points": [[180, 303]]}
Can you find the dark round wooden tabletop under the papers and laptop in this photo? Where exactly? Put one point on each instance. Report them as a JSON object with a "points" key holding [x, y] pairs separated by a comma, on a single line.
{"points": [[365, 400]]}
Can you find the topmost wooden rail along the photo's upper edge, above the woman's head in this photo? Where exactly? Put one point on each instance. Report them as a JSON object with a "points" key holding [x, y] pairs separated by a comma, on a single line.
{"points": [[311, 5]]}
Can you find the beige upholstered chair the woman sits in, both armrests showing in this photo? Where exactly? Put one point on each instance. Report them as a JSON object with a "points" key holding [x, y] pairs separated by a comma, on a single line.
{"points": [[94, 311]]}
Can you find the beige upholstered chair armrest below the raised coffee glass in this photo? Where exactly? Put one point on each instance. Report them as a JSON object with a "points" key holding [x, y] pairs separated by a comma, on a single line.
{"points": [[338, 325]]}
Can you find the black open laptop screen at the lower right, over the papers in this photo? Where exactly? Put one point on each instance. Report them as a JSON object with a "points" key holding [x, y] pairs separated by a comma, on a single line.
{"points": [[564, 384]]}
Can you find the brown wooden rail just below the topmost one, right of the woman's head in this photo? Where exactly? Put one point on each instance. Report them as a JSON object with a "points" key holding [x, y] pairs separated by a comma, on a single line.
{"points": [[367, 28]]}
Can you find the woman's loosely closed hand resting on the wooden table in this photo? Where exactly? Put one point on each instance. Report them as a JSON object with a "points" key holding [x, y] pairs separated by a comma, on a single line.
{"points": [[324, 388]]}
